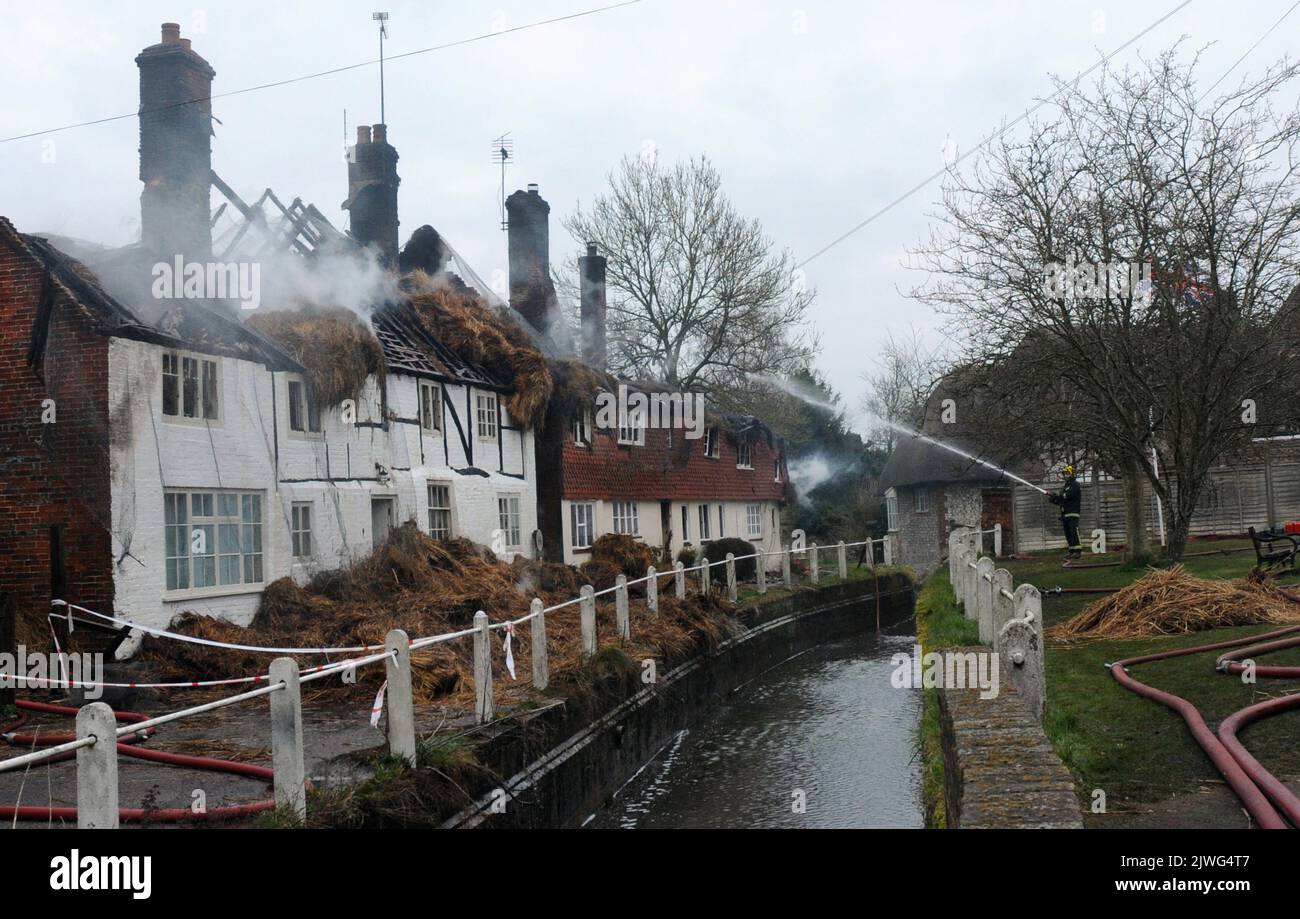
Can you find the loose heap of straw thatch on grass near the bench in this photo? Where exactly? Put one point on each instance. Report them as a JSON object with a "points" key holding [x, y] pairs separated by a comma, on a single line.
{"points": [[1175, 602]]}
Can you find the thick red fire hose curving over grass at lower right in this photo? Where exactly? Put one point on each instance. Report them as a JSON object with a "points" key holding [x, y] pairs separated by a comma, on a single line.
{"points": [[1263, 795]]}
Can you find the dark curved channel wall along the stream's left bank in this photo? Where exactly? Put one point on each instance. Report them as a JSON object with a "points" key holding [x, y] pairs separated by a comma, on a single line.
{"points": [[567, 782]]}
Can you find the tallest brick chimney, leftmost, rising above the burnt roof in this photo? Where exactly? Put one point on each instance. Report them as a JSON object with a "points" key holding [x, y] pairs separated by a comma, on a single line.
{"points": [[176, 148]]}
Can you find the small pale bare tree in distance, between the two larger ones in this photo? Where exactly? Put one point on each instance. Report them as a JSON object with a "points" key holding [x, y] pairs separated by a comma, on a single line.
{"points": [[898, 391]]}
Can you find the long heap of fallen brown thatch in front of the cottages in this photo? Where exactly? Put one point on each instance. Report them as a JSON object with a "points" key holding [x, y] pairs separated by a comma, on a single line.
{"points": [[432, 588]]}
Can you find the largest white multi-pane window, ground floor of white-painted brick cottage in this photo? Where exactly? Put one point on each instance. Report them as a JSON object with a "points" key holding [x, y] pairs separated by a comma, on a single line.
{"points": [[220, 515]]}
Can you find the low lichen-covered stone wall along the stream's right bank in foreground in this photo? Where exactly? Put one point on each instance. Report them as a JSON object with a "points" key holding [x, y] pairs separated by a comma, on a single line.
{"points": [[1000, 770]]}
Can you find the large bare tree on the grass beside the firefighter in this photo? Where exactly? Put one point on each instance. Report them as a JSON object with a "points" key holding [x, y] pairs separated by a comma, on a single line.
{"points": [[1136, 171]]}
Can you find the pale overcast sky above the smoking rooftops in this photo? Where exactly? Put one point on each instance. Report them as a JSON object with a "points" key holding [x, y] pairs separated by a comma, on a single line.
{"points": [[817, 114]]}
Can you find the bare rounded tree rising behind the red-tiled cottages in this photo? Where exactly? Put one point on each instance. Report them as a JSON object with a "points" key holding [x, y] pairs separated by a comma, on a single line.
{"points": [[699, 298]]}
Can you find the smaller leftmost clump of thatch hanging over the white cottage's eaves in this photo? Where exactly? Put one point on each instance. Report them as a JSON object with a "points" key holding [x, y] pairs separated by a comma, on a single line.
{"points": [[339, 350]]}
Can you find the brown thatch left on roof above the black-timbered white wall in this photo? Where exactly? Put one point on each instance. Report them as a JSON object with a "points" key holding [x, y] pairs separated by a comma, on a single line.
{"points": [[471, 328]]}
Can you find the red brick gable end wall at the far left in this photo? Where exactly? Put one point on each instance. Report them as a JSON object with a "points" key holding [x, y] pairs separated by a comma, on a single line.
{"points": [[51, 475]]}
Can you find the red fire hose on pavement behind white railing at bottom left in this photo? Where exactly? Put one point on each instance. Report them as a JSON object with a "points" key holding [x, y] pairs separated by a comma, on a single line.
{"points": [[127, 749]]}
